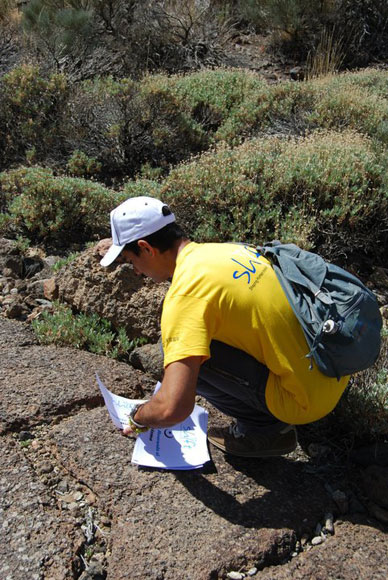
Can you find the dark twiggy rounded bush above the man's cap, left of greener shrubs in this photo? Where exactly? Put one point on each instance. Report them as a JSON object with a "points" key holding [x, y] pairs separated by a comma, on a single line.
{"points": [[125, 125]]}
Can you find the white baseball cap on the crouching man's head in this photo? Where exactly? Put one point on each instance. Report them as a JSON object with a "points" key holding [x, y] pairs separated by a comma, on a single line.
{"points": [[135, 219]]}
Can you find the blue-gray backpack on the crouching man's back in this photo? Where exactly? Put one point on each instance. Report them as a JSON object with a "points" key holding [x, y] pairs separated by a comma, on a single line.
{"points": [[339, 315]]}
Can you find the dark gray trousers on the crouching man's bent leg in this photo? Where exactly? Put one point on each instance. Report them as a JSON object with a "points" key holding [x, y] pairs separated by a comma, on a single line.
{"points": [[234, 382]]}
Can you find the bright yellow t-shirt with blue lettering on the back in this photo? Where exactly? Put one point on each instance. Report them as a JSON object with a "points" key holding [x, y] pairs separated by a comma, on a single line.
{"points": [[227, 293]]}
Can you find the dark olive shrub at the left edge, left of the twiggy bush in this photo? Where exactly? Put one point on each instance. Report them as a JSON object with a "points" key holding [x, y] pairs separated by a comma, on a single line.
{"points": [[30, 113]]}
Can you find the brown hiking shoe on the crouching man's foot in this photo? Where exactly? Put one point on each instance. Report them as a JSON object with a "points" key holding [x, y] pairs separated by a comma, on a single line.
{"points": [[231, 440]]}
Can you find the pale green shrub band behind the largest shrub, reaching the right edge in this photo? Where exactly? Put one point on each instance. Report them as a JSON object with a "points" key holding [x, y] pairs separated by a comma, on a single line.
{"points": [[232, 106]]}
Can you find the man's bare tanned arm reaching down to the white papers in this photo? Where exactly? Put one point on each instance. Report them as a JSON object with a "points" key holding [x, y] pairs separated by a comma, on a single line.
{"points": [[175, 399]]}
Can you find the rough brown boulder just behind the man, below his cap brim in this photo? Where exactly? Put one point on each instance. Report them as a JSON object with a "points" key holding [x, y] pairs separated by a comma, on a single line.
{"points": [[114, 293]]}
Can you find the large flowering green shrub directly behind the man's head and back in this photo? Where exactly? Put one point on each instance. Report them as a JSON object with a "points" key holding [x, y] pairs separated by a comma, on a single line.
{"points": [[327, 190]]}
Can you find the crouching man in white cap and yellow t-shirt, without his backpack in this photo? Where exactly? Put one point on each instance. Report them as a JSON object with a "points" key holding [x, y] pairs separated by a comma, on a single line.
{"points": [[228, 334]]}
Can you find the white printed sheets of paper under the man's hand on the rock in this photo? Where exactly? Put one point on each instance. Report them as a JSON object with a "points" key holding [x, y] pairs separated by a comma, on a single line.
{"points": [[182, 446]]}
